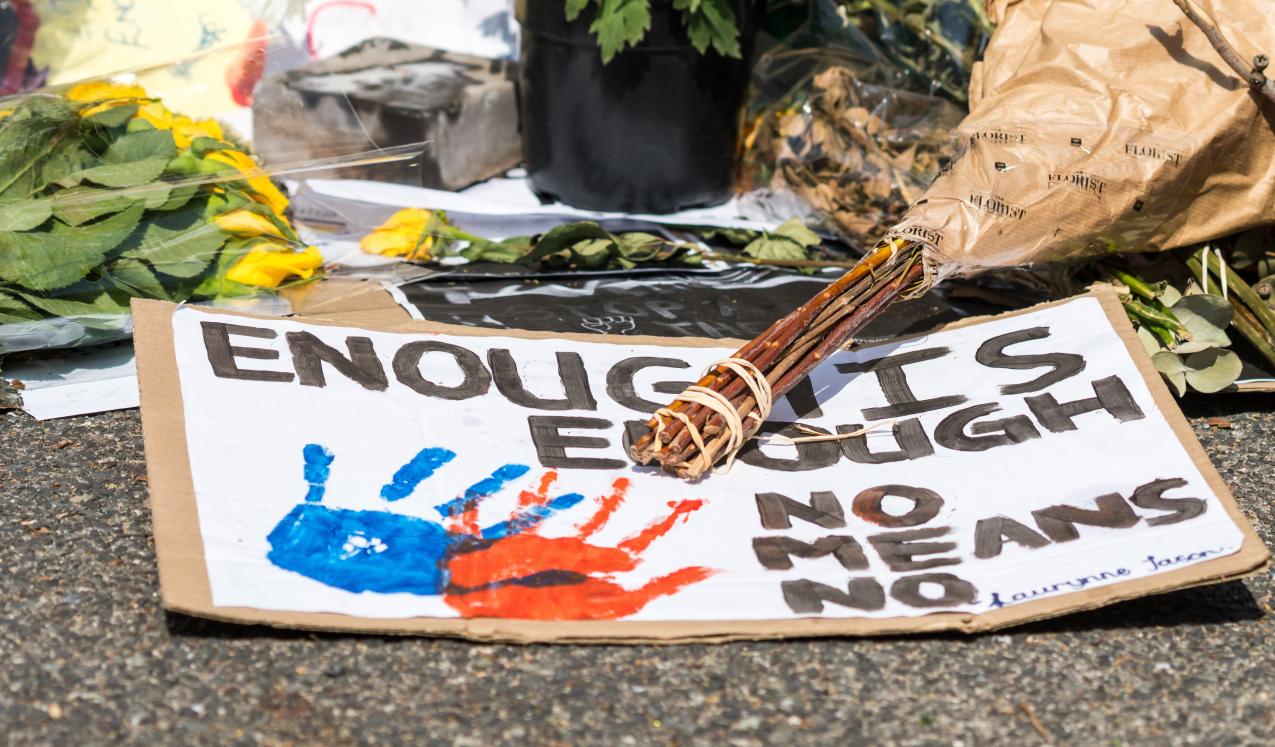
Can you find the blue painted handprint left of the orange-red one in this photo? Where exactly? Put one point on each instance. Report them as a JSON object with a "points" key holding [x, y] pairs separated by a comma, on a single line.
{"points": [[386, 553]]}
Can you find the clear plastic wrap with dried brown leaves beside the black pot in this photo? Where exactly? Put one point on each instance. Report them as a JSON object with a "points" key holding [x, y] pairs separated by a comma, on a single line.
{"points": [[854, 115]]}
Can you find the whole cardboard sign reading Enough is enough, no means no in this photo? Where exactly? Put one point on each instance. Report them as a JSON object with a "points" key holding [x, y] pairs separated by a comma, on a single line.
{"points": [[474, 482]]}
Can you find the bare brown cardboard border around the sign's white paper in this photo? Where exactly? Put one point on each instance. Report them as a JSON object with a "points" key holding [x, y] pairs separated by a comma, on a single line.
{"points": [[186, 587]]}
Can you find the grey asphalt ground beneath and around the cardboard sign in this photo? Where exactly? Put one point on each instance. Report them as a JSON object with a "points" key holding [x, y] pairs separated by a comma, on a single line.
{"points": [[90, 657]]}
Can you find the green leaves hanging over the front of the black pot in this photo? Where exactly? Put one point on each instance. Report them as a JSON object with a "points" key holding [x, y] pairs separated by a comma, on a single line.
{"points": [[625, 24]]}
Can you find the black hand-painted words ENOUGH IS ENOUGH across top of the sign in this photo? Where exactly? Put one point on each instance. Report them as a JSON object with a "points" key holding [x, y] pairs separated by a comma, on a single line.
{"points": [[461, 374]]}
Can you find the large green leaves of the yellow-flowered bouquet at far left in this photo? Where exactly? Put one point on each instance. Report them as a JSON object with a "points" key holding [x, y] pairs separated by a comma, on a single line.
{"points": [[89, 219]]}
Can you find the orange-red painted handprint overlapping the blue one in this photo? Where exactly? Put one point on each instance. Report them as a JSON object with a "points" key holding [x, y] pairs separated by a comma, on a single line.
{"points": [[564, 578]]}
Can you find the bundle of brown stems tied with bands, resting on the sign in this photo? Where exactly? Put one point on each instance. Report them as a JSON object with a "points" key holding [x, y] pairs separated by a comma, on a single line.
{"points": [[712, 420]]}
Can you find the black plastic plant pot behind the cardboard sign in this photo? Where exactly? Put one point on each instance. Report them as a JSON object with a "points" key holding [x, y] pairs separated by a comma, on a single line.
{"points": [[655, 131]]}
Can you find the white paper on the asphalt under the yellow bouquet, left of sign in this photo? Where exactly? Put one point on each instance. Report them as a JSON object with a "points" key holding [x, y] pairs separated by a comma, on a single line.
{"points": [[78, 382]]}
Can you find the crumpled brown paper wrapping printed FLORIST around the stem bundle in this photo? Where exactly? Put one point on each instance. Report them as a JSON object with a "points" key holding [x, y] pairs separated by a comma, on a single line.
{"points": [[1102, 127]]}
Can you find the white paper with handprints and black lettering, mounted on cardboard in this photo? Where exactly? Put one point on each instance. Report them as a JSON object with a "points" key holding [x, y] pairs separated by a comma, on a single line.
{"points": [[247, 440]]}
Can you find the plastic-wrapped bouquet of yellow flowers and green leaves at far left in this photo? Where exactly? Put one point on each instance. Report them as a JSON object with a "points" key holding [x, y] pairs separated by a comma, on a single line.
{"points": [[106, 196]]}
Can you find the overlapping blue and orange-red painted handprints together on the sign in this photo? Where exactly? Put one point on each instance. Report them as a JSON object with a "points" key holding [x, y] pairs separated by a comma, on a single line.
{"points": [[502, 570]]}
